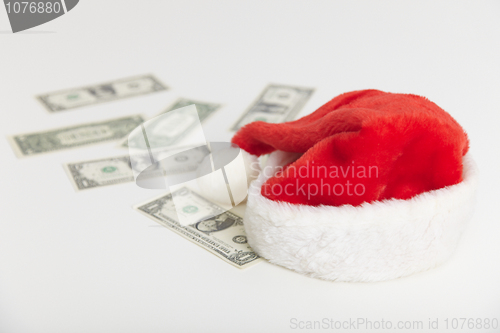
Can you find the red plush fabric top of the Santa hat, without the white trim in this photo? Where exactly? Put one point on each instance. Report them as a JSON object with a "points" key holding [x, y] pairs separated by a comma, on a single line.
{"points": [[409, 144]]}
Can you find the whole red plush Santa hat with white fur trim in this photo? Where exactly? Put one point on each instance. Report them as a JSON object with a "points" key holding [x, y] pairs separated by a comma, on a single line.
{"points": [[371, 186]]}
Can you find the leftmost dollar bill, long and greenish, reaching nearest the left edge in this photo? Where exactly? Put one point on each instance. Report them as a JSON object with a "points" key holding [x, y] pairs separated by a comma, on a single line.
{"points": [[73, 136]]}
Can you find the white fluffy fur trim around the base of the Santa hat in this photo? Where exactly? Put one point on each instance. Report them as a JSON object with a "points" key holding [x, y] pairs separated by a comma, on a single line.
{"points": [[372, 242]]}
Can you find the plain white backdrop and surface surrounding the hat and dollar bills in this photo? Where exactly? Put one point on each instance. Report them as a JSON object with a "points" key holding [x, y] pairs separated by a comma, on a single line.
{"points": [[87, 262]]}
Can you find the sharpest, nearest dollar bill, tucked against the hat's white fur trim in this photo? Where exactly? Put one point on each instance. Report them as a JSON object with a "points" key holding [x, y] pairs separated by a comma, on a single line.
{"points": [[222, 232]]}
